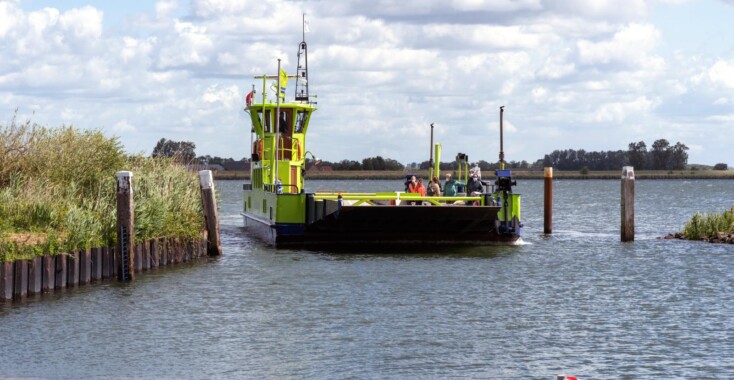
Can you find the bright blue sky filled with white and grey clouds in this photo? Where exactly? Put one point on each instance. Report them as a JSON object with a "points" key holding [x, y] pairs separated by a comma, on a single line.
{"points": [[572, 74]]}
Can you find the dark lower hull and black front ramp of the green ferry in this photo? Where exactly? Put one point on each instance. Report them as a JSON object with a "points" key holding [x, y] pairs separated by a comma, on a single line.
{"points": [[391, 225]]}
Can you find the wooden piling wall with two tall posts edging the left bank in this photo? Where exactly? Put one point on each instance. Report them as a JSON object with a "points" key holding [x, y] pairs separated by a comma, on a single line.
{"points": [[44, 274]]}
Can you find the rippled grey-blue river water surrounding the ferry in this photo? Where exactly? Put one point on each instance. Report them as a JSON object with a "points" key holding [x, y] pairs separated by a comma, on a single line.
{"points": [[577, 302]]}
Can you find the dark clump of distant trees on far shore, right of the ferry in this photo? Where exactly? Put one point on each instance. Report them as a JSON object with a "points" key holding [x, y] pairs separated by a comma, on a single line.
{"points": [[662, 156]]}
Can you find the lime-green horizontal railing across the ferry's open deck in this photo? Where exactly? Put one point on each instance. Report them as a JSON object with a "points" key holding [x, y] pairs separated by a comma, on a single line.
{"points": [[384, 199]]}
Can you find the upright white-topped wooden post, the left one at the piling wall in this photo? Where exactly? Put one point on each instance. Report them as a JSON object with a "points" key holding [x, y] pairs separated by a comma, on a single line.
{"points": [[125, 227]]}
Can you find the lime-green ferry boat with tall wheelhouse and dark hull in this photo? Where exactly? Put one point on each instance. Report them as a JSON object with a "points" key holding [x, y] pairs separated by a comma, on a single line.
{"points": [[278, 209]]}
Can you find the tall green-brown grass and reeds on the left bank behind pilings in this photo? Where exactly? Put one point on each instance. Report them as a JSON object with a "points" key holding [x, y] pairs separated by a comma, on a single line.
{"points": [[57, 192]]}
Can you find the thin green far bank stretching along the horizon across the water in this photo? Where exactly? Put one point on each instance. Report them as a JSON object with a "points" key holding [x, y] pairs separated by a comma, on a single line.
{"points": [[519, 174]]}
